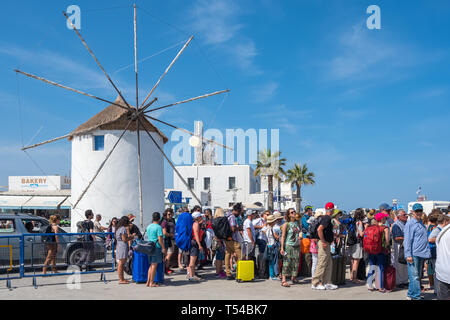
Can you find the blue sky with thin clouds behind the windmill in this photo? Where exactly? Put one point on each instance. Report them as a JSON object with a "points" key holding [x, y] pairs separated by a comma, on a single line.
{"points": [[367, 110]]}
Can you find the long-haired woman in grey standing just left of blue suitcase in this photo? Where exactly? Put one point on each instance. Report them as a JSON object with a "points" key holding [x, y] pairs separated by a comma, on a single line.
{"points": [[122, 237]]}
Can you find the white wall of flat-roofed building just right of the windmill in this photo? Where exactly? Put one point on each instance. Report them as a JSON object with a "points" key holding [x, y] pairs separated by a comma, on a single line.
{"points": [[219, 183]]}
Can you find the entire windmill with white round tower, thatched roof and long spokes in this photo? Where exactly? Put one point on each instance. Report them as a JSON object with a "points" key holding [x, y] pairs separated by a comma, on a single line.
{"points": [[114, 170]]}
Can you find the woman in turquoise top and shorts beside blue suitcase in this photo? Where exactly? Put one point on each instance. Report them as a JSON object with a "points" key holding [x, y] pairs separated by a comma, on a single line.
{"points": [[155, 234]]}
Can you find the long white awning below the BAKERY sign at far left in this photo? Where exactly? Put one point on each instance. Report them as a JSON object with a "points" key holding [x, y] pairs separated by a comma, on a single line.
{"points": [[34, 202]]}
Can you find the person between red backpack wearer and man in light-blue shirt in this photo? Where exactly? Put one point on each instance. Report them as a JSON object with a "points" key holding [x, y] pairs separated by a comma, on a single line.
{"points": [[398, 236]]}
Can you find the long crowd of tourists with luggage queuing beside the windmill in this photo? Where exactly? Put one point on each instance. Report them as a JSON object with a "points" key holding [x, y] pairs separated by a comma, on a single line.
{"points": [[385, 249]]}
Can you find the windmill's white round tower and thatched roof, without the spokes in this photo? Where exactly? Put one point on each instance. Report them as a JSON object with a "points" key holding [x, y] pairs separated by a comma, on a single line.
{"points": [[115, 191]]}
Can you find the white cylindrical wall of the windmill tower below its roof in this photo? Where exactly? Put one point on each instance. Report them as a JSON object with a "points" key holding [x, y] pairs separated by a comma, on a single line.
{"points": [[115, 192]]}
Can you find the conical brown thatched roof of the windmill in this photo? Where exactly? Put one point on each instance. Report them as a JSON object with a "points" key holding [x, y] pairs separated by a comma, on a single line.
{"points": [[114, 118]]}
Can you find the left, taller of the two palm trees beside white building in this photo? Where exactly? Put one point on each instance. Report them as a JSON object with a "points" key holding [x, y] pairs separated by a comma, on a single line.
{"points": [[269, 164]]}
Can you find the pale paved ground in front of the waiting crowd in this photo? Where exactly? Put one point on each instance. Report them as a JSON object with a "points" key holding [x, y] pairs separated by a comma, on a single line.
{"points": [[177, 287]]}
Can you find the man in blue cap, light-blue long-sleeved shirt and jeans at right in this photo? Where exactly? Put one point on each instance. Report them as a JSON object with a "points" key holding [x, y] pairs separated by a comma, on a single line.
{"points": [[416, 250]]}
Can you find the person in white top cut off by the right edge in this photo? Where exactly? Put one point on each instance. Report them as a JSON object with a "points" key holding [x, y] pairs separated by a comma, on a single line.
{"points": [[442, 272]]}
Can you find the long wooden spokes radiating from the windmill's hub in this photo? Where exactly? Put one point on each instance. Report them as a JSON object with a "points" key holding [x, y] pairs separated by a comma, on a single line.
{"points": [[137, 118]]}
